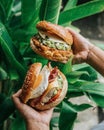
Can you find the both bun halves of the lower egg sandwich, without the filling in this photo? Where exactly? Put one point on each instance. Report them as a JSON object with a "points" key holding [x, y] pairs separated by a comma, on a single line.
{"points": [[28, 88]]}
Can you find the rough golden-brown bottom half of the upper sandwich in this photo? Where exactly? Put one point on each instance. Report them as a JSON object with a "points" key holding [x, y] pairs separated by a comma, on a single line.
{"points": [[50, 53]]}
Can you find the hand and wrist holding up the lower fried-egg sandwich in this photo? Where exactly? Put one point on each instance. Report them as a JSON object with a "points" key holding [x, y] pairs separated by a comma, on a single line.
{"points": [[35, 120]]}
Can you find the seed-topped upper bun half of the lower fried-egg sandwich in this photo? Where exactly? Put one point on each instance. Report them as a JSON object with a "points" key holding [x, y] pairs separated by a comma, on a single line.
{"points": [[29, 81]]}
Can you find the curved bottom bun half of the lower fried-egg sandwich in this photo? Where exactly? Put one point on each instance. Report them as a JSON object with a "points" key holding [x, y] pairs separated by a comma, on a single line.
{"points": [[40, 106]]}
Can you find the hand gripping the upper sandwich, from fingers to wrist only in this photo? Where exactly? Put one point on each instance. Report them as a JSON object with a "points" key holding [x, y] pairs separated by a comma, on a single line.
{"points": [[81, 47]]}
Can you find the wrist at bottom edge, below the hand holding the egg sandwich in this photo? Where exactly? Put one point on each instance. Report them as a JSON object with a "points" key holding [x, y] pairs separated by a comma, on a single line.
{"points": [[36, 126]]}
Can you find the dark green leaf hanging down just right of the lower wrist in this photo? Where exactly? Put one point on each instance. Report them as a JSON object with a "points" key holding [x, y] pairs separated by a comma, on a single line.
{"points": [[67, 117]]}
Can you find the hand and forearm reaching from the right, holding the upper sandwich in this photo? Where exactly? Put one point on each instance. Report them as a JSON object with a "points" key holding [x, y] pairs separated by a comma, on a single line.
{"points": [[84, 51]]}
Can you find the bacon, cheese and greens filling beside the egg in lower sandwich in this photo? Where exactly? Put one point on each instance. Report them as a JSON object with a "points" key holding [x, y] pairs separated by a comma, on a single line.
{"points": [[54, 87]]}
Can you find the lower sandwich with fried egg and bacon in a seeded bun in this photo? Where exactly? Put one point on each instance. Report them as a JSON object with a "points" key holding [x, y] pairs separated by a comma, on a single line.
{"points": [[44, 87]]}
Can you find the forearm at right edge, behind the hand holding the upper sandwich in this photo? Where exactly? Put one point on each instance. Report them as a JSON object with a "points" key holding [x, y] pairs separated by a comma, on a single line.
{"points": [[96, 59]]}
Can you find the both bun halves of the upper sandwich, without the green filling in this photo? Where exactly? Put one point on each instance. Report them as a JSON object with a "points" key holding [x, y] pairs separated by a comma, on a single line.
{"points": [[57, 32]]}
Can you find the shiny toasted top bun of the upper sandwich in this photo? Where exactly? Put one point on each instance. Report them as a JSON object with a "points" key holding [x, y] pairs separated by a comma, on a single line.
{"points": [[55, 31]]}
